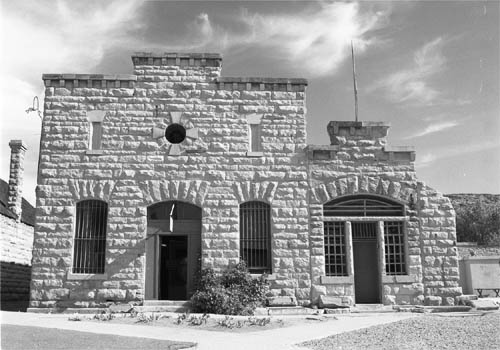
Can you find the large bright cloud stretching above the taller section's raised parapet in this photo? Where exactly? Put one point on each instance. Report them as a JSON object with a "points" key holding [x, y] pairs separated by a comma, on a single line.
{"points": [[315, 41]]}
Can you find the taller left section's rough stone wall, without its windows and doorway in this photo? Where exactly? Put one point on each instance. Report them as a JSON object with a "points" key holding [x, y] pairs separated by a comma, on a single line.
{"points": [[135, 170]]}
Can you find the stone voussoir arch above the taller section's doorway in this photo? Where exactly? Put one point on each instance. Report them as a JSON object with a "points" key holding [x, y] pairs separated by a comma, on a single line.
{"points": [[191, 191]]}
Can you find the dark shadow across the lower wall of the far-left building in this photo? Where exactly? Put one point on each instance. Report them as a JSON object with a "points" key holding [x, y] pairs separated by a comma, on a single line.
{"points": [[15, 286]]}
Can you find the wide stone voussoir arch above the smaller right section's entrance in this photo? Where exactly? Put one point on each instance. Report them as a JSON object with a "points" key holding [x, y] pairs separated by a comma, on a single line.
{"points": [[351, 185]]}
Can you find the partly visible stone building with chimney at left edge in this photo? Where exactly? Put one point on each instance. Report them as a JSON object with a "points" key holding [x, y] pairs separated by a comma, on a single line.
{"points": [[17, 221]]}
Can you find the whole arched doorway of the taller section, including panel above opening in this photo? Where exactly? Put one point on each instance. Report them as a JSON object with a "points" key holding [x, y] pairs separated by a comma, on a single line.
{"points": [[173, 248]]}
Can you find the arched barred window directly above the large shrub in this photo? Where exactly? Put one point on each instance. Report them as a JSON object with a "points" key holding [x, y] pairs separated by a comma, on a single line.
{"points": [[255, 236]]}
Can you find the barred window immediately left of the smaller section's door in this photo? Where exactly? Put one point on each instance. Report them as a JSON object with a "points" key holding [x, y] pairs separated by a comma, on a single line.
{"points": [[335, 250]]}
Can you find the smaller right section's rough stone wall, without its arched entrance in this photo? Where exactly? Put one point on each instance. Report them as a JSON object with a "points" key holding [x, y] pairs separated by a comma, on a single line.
{"points": [[359, 162]]}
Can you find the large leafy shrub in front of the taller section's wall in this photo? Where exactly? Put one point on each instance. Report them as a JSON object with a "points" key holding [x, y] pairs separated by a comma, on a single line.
{"points": [[233, 292]]}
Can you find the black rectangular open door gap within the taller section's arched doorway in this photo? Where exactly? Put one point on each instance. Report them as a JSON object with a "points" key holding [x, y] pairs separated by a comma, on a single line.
{"points": [[173, 267]]}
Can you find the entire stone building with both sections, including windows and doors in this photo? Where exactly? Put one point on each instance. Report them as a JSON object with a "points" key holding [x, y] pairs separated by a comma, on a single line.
{"points": [[141, 176]]}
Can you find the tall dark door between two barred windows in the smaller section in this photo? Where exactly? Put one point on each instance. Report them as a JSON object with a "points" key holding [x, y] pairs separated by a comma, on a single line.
{"points": [[366, 271]]}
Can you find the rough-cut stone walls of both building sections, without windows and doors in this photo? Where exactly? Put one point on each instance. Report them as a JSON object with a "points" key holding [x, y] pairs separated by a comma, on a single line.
{"points": [[215, 170]]}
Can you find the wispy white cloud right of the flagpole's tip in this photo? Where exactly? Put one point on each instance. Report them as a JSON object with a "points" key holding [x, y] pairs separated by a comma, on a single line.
{"points": [[413, 84]]}
